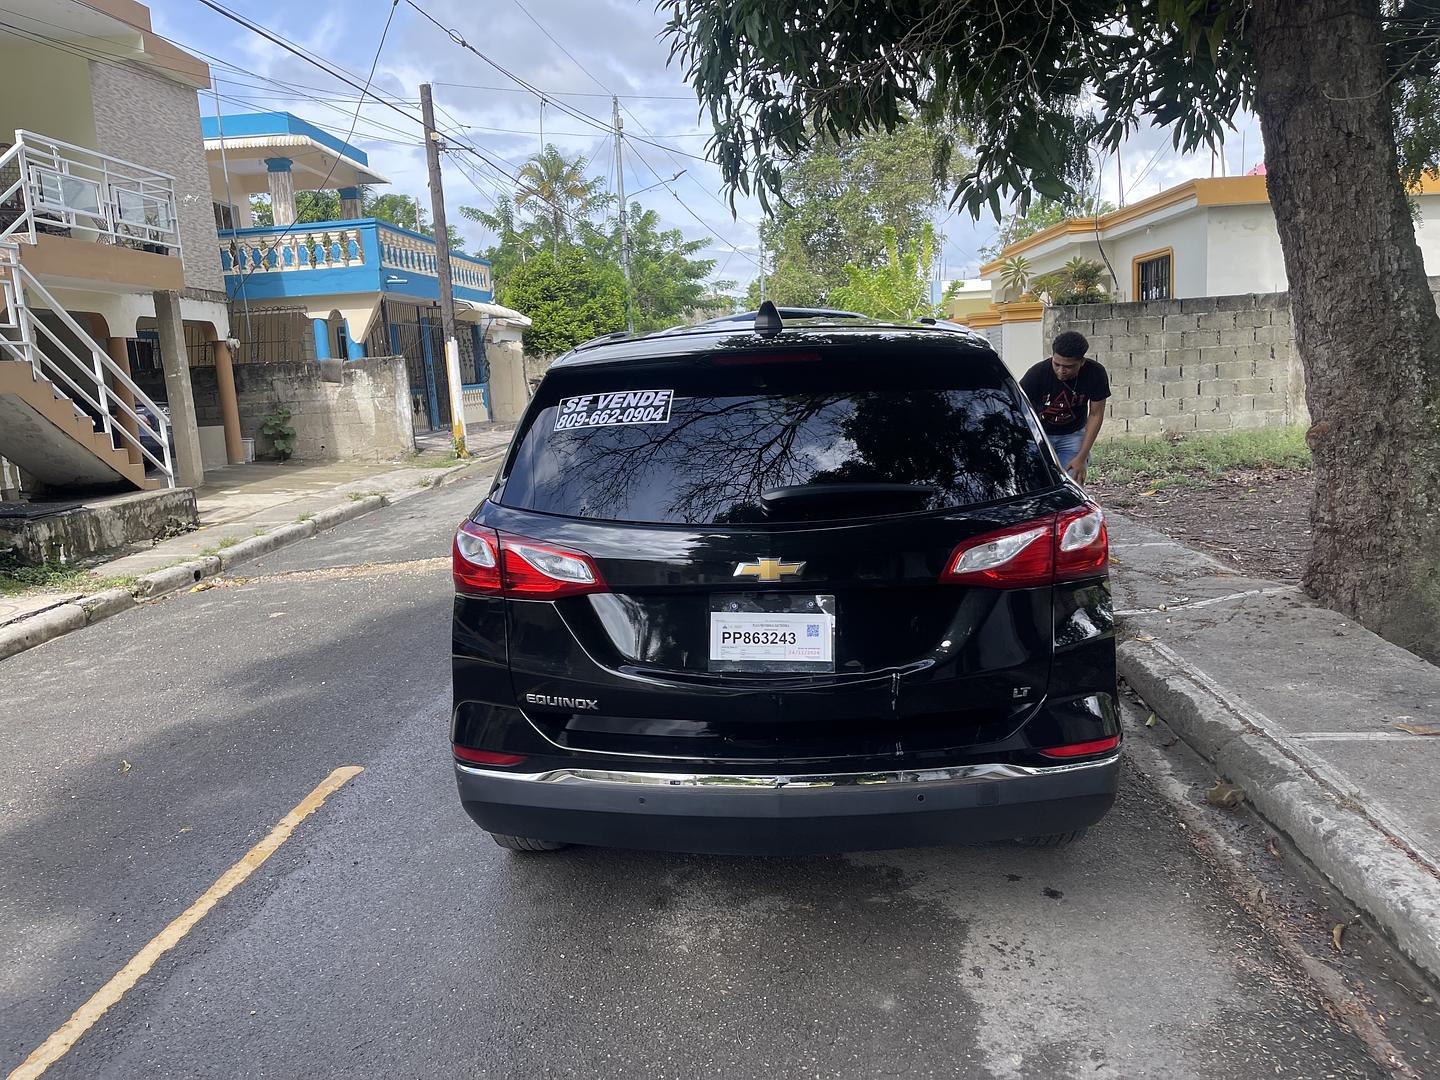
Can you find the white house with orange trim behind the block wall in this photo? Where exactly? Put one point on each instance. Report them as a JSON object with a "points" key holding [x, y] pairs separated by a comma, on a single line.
{"points": [[1203, 238]]}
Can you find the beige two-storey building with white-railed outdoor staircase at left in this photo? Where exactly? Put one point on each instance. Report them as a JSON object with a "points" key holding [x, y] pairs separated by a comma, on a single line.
{"points": [[110, 286]]}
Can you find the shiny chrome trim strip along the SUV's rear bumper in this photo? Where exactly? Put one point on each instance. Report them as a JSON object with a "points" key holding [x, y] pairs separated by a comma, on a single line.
{"points": [[966, 774]]}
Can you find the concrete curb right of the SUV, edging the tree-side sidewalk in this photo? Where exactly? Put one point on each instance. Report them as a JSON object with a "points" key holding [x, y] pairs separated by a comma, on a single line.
{"points": [[1370, 865]]}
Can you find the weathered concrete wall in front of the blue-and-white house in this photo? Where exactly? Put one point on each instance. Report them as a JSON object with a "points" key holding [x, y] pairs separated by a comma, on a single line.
{"points": [[341, 411]]}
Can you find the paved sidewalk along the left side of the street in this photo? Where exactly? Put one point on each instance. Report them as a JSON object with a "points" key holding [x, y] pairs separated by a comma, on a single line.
{"points": [[266, 499]]}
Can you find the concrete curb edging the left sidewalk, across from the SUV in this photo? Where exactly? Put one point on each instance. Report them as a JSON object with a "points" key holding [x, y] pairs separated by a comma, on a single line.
{"points": [[54, 623]]}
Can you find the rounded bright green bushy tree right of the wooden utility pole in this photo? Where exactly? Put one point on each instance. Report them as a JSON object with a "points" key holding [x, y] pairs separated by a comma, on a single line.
{"points": [[570, 299]]}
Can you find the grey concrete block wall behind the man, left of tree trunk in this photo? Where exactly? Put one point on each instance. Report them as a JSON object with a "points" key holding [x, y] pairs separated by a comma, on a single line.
{"points": [[1203, 365]]}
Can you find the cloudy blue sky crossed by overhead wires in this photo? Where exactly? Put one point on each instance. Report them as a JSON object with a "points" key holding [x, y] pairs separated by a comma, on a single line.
{"points": [[578, 53]]}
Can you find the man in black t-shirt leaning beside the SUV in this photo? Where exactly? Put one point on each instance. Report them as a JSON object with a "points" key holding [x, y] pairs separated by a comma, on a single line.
{"points": [[1069, 394]]}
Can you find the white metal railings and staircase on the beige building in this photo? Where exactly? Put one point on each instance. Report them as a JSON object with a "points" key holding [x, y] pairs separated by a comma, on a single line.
{"points": [[70, 415]]}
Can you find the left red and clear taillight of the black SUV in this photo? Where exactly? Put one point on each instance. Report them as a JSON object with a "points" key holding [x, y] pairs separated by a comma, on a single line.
{"points": [[489, 564]]}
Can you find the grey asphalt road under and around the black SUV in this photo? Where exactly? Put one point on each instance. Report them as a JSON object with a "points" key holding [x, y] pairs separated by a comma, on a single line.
{"points": [[388, 937]]}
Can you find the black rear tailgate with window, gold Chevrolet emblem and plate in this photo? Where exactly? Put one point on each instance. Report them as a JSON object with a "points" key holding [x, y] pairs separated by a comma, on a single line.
{"points": [[673, 513]]}
